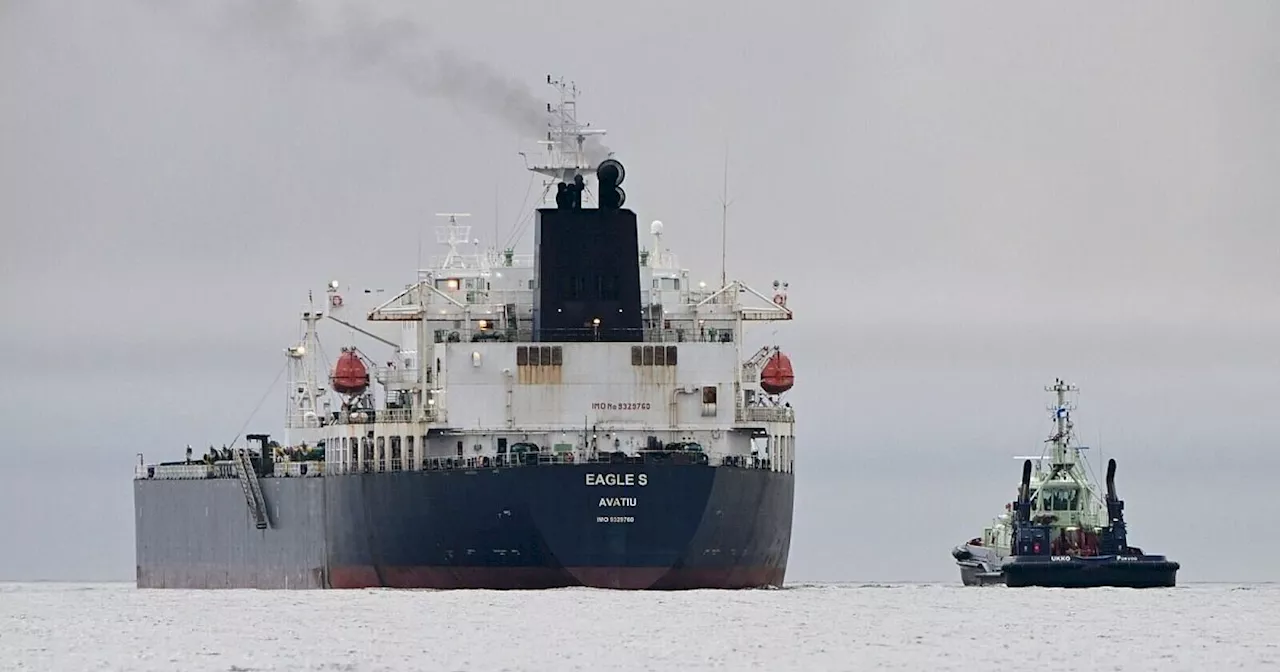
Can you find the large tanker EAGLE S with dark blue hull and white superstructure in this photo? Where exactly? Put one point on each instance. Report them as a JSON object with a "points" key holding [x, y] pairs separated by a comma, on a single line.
{"points": [[586, 415]]}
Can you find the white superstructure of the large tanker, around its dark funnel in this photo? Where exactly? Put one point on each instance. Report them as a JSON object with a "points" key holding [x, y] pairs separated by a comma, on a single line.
{"points": [[468, 387]]}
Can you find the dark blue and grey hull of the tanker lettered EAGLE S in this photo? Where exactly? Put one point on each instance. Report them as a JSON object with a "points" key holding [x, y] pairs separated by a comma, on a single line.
{"points": [[604, 525]]}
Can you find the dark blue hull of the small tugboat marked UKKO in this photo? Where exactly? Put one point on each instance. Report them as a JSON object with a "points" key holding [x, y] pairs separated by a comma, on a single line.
{"points": [[1104, 572]]}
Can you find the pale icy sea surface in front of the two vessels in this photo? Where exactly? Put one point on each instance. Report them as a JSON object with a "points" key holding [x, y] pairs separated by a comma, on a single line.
{"points": [[70, 628]]}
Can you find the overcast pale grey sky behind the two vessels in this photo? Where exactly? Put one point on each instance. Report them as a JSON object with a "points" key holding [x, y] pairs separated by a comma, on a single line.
{"points": [[967, 199]]}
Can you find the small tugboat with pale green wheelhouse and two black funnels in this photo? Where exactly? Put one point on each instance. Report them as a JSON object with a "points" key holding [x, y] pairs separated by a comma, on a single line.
{"points": [[1060, 533]]}
